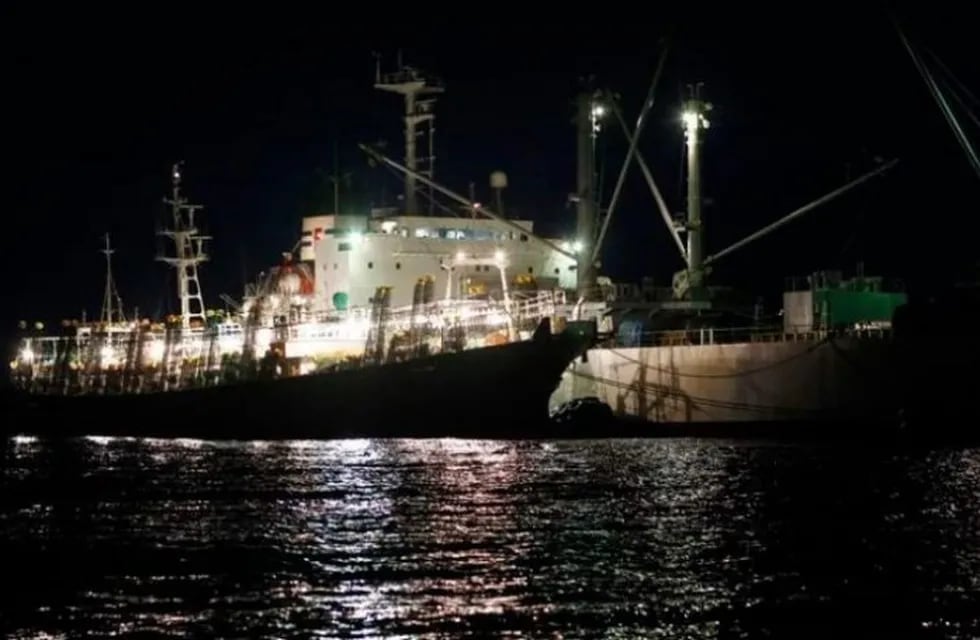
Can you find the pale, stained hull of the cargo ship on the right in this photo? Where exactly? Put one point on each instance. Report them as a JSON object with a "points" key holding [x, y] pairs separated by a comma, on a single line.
{"points": [[813, 379]]}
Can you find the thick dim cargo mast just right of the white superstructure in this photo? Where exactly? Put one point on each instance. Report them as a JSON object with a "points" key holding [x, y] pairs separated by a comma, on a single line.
{"points": [[587, 114]]}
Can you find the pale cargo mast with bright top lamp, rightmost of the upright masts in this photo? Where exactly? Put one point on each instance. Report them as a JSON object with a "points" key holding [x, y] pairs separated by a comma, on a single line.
{"points": [[694, 122]]}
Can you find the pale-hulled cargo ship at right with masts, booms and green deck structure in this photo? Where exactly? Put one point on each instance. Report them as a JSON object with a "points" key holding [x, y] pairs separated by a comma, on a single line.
{"points": [[688, 359]]}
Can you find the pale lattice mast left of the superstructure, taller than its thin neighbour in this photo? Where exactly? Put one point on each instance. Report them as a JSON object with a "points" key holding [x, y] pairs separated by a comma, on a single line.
{"points": [[188, 253]]}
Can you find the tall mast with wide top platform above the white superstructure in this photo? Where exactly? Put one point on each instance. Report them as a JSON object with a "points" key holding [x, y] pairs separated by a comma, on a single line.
{"points": [[419, 91]]}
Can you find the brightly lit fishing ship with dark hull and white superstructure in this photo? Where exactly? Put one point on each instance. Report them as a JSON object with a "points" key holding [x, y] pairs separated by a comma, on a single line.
{"points": [[385, 324]]}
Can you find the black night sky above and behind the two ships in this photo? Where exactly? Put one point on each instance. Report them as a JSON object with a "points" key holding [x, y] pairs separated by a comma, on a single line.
{"points": [[100, 104]]}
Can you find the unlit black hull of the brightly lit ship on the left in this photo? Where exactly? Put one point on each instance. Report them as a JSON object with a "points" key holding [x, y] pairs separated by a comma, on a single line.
{"points": [[499, 391]]}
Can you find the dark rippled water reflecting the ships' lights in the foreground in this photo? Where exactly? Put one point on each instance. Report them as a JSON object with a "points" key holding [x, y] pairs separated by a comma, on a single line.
{"points": [[671, 539]]}
